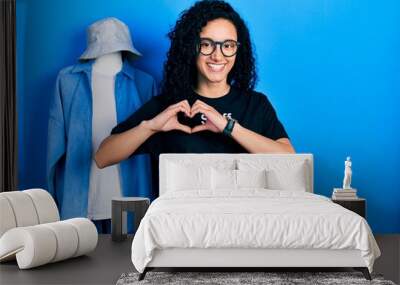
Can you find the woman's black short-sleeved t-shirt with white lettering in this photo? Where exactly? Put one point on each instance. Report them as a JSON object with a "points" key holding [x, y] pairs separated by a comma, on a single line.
{"points": [[251, 109]]}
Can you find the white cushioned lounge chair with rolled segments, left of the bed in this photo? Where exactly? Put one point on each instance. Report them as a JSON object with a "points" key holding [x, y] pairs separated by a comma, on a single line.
{"points": [[31, 232]]}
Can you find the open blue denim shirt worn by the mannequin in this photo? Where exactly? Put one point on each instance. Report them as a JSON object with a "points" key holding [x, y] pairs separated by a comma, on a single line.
{"points": [[69, 153]]}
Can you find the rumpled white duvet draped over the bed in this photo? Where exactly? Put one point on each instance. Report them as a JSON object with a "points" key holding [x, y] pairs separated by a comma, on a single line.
{"points": [[251, 218]]}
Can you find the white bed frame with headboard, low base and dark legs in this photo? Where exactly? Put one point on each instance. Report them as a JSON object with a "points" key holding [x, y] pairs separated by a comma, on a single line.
{"points": [[249, 259]]}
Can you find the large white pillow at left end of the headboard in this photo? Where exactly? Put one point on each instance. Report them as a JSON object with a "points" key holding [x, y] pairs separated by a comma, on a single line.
{"points": [[183, 178]]}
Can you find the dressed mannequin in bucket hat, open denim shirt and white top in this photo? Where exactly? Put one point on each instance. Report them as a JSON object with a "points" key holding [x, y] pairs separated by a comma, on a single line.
{"points": [[83, 111]]}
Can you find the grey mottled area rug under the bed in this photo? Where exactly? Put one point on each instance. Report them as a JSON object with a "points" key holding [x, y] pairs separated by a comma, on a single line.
{"points": [[243, 278]]}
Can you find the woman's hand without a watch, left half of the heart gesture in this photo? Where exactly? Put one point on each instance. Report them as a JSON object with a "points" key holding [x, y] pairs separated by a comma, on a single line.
{"points": [[167, 120]]}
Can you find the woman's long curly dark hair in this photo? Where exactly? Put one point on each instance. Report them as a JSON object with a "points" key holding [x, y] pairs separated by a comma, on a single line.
{"points": [[180, 72]]}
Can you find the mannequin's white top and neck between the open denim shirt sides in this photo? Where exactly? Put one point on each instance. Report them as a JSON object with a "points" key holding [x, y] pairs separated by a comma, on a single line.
{"points": [[104, 183]]}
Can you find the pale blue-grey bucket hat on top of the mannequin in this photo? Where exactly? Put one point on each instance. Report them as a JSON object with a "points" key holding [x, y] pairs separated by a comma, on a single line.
{"points": [[106, 36]]}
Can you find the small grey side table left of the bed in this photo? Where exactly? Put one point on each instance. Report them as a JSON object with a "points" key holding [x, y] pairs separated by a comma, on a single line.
{"points": [[120, 206]]}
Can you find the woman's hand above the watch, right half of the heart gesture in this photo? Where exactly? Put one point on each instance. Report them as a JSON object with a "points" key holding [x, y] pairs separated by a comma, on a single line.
{"points": [[215, 121]]}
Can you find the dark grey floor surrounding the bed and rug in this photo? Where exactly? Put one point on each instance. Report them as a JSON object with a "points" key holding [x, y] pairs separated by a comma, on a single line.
{"points": [[110, 260]]}
